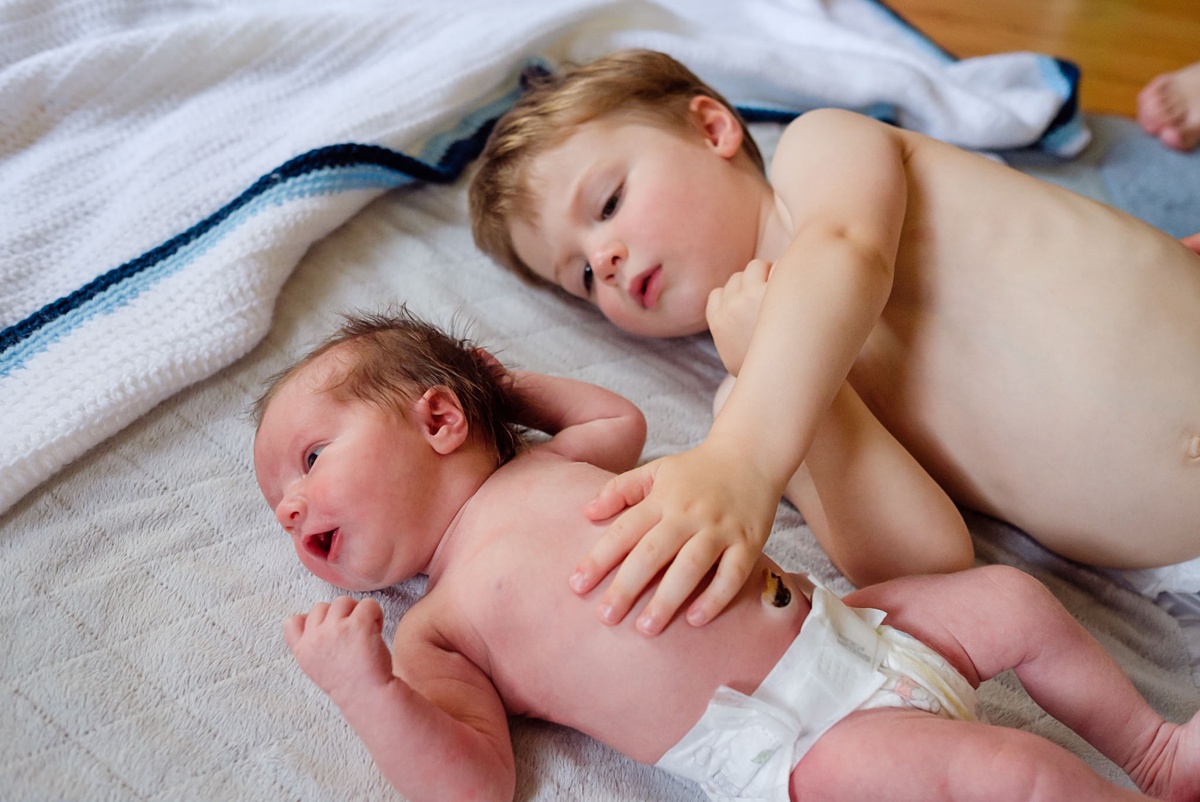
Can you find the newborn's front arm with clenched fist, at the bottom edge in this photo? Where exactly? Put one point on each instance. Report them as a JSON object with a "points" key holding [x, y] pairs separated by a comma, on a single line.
{"points": [[439, 734]]}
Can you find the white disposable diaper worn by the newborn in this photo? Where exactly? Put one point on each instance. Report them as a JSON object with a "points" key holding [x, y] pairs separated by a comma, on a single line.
{"points": [[746, 747]]}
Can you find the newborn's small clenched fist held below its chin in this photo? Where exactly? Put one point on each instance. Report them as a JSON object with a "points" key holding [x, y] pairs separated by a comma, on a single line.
{"points": [[340, 647]]}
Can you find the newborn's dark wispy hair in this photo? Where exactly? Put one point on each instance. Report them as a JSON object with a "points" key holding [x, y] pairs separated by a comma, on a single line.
{"points": [[395, 357]]}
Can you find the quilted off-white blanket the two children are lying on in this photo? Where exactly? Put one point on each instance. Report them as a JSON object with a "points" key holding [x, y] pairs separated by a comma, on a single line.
{"points": [[147, 584]]}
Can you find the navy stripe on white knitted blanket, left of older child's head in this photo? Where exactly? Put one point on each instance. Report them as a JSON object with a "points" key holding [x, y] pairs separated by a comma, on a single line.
{"points": [[449, 169]]}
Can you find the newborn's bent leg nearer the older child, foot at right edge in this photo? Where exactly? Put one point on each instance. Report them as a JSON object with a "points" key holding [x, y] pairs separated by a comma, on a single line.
{"points": [[993, 619]]}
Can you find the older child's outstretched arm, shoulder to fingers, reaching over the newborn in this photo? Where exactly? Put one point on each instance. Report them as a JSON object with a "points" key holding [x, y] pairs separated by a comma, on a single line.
{"points": [[842, 178]]}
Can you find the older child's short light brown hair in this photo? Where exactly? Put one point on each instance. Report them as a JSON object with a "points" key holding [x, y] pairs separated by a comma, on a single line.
{"points": [[646, 86]]}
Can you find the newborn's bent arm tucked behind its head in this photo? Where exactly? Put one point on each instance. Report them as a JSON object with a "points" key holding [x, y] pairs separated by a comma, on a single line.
{"points": [[586, 422]]}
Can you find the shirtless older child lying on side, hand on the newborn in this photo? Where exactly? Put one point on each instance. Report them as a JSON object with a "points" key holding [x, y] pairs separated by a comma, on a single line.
{"points": [[902, 316]]}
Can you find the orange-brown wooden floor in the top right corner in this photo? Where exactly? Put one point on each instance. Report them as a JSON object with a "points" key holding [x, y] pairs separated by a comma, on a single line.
{"points": [[1119, 45]]}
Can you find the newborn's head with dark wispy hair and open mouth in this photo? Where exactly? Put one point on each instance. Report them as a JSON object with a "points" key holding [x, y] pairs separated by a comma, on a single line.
{"points": [[350, 445]]}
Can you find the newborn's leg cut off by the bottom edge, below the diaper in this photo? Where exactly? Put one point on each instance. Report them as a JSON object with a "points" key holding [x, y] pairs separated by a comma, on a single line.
{"points": [[905, 756]]}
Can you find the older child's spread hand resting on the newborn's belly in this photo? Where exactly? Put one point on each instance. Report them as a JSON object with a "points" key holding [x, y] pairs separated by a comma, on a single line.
{"points": [[694, 511]]}
